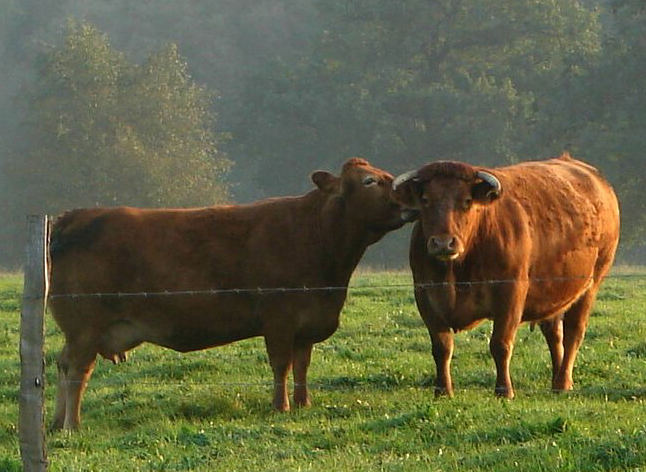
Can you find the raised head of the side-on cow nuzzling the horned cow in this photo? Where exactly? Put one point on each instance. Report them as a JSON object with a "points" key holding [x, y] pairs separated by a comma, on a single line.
{"points": [[366, 195]]}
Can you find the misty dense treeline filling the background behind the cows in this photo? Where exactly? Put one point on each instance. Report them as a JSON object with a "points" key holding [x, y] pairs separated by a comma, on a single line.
{"points": [[149, 103]]}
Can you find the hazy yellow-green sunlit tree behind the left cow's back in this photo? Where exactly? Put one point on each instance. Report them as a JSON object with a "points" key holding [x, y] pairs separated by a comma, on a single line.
{"points": [[106, 132]]}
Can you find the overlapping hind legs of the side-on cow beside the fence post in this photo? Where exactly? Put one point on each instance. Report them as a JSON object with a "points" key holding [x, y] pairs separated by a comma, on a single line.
{"points": [[75, 367]]}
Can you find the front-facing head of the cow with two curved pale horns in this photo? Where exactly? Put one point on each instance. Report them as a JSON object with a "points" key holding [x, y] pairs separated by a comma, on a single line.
{"points": [[449, 196]]}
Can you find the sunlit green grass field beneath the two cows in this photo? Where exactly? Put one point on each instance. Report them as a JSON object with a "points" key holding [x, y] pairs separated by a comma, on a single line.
{"points": [[372, 408]]}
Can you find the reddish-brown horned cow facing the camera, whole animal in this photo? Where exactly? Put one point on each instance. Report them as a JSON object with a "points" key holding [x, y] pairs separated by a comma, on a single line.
{"points": [[528, 242]]}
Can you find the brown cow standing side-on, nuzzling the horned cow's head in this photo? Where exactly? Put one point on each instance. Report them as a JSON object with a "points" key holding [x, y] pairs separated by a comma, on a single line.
{"points": [[303, 243]]}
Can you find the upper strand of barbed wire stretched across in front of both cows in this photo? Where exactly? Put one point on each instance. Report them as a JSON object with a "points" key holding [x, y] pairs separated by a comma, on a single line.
{"points": [[305, 289]]}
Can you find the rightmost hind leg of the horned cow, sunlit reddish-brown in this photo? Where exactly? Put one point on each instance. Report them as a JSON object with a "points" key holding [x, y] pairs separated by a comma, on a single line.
{"points": [[575, 322]]}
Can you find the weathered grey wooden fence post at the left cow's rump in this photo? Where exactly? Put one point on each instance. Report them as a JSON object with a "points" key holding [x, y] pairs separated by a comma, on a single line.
{"points": [[32, 360]]}
